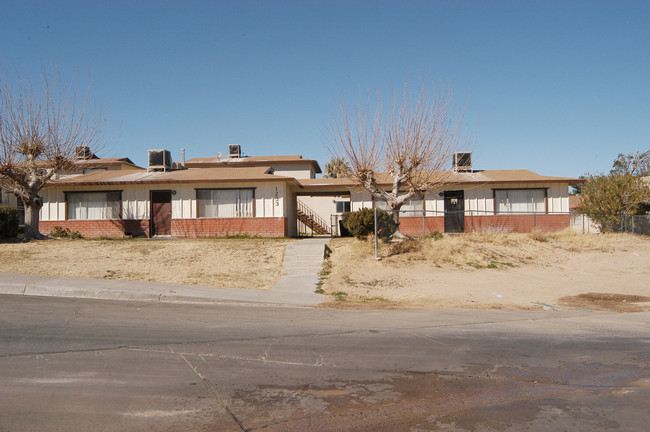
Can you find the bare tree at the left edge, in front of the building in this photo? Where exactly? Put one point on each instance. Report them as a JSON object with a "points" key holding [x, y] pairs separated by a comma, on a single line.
{"points": [[39, 131]]}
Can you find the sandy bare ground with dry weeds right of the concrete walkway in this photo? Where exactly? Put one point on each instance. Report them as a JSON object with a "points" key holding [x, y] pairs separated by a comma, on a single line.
{"points": [[507, 272]]}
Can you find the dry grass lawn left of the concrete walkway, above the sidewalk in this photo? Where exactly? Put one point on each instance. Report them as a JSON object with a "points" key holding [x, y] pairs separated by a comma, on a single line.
{"points": [[228, 263]]}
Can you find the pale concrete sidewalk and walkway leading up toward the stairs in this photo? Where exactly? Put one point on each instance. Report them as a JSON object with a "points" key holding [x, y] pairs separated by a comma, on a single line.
{"points": [[302, 262]]}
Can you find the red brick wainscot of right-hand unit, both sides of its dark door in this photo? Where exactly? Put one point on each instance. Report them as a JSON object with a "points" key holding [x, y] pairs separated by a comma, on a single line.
{"points": [[413, 226]]}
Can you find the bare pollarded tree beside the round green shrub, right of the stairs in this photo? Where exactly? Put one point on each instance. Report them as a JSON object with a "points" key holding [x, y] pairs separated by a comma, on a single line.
{"points": [[408, 147]]}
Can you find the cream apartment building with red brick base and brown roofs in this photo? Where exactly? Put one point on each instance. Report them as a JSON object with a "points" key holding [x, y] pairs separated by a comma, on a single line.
{"points": [[281, 196]]}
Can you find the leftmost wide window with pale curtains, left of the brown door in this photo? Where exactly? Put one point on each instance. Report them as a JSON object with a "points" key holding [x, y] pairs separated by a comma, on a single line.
{"points": [[93, 205]]}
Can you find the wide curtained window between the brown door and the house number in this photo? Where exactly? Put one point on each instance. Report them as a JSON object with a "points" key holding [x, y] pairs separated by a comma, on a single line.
{"points": [[224, 203]]}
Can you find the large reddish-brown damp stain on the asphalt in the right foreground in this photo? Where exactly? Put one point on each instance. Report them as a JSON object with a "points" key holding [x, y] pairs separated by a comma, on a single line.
{"points": [[421, 401]]}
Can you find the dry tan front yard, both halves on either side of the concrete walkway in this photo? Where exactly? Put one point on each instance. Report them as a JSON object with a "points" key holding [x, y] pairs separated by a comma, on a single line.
{"points": [[563, 271]]}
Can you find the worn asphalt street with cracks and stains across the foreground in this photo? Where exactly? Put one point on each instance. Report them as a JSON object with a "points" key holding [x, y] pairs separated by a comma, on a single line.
{"points": [[79, 365]]}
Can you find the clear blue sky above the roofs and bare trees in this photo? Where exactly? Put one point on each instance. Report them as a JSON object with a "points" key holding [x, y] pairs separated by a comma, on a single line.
{"points": [[557, 87]]}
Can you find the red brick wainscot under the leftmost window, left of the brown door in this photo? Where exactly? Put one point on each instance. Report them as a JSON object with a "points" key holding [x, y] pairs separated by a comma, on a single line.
{"points": [[100, 228]]}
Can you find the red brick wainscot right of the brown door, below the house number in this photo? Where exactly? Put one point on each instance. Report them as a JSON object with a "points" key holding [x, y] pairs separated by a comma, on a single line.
{"points": [[259, 227]]}
